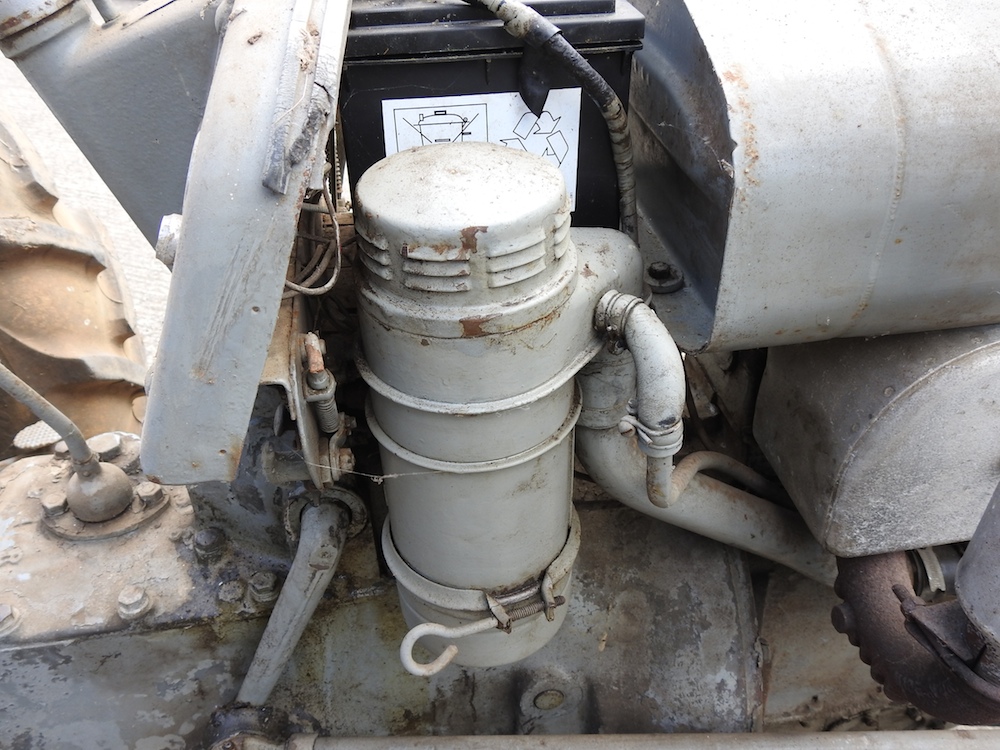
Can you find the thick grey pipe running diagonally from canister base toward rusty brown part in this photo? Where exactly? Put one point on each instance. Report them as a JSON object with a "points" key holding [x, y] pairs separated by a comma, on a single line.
{"points": [[706, 507]]}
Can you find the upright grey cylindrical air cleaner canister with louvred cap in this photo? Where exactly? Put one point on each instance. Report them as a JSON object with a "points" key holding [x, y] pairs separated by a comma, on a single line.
{"points": [[470, 358]]}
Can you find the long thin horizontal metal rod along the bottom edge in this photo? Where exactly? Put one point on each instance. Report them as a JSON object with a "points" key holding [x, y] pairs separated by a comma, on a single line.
{"points": [[957, 738]]}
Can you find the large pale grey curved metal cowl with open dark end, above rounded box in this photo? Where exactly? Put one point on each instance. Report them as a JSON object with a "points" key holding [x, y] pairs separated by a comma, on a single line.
{"points": [[862, 172]]}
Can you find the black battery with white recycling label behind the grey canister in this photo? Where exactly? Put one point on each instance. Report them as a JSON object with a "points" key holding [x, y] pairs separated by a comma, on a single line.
{"points": [[418, 73]]}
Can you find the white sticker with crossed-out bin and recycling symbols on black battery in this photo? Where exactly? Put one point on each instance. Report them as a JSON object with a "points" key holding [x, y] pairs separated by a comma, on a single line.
{"points": [[498, 118]]}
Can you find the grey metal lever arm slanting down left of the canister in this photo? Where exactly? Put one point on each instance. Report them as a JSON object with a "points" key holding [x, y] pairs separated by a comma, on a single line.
{"points": [[324, 531]]}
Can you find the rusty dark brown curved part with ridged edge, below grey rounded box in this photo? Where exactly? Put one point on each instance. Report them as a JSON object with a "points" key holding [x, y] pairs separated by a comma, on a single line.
{"points": [[898, 646]]}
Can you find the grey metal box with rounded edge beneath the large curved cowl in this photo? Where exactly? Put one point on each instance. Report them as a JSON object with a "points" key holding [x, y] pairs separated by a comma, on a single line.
{"points": [[889, 443]]}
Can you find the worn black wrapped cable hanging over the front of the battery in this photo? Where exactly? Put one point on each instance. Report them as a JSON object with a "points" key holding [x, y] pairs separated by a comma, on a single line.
{"points": [[531, 27]]}
